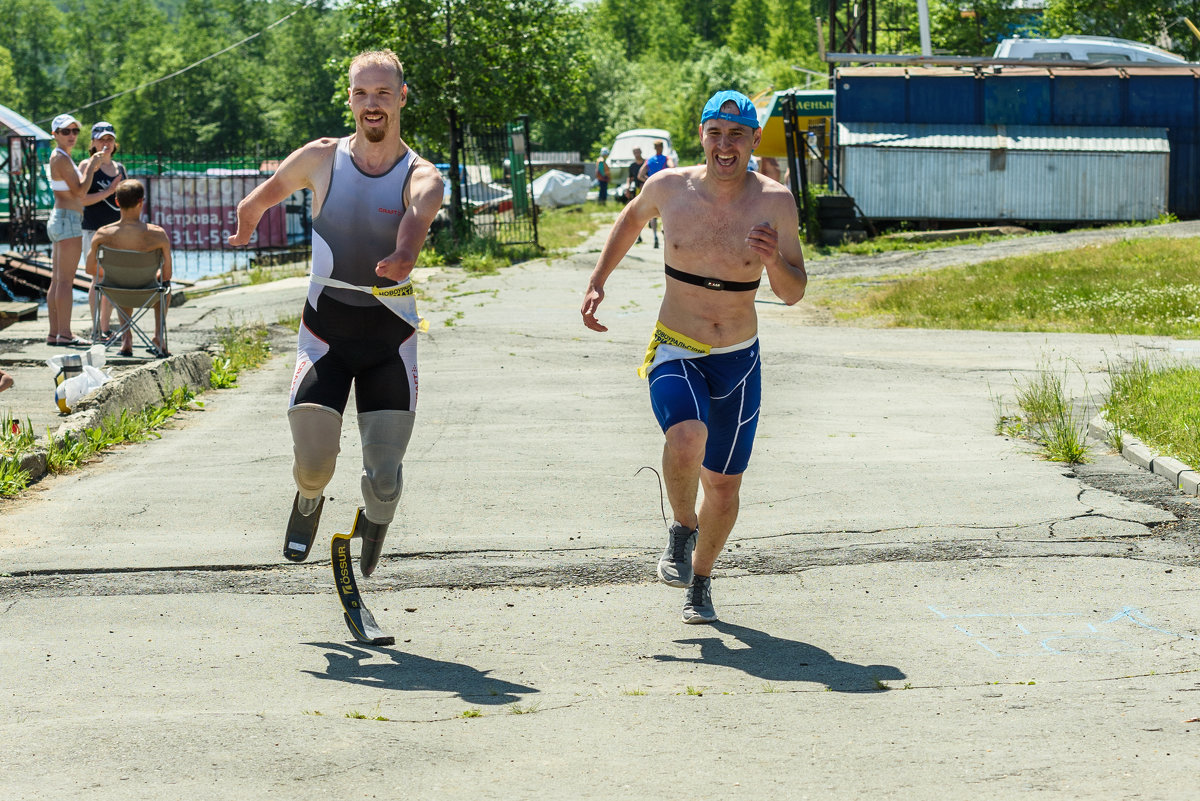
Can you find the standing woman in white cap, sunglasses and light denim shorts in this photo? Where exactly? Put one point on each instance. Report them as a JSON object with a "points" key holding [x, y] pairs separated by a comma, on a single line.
{"points": [[65, 228]]}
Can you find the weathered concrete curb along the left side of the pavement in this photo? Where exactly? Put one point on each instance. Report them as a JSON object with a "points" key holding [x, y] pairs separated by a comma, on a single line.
{"points": [[147, 386]]}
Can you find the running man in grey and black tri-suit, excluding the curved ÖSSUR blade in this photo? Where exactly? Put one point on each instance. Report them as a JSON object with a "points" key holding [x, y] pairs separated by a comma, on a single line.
{"points": [[374, 202]]}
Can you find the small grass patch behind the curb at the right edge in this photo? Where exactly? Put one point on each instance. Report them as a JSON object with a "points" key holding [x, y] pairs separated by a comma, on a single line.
{"points": [[1160, 405]]}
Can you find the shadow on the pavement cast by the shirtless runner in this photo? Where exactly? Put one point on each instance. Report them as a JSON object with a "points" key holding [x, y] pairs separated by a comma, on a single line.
{"points": [[775, 659]]}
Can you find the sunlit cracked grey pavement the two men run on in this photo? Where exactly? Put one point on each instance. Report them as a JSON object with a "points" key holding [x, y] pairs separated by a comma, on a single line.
{"points": [[911, 606]]}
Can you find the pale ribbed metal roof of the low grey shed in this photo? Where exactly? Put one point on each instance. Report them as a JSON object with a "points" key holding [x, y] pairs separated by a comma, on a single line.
{"points": [[1004, 137]]}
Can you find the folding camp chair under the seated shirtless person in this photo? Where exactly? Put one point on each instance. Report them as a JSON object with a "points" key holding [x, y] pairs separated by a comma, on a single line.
{"points": [[130, 280]]}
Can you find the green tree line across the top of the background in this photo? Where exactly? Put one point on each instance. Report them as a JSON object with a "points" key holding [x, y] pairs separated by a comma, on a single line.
{"points": [[584, 73]]}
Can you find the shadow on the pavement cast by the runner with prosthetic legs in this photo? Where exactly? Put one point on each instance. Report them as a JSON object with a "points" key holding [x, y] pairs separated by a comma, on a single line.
{"points": [[411, 672]]}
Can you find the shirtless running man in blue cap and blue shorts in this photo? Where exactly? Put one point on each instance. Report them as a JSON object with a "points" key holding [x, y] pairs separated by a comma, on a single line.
{"points": [[727, 226]]}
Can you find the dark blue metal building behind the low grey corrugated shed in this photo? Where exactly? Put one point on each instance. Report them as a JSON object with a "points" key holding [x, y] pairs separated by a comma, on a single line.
{"points": [[1167, 98]]}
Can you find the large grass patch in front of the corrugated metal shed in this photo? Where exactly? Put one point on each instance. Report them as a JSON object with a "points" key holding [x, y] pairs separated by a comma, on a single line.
{"points": [[1147, 287]]}
